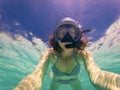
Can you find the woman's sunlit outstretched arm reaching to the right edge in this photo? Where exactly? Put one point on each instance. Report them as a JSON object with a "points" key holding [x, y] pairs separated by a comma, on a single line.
{"points": [[101, 78]]}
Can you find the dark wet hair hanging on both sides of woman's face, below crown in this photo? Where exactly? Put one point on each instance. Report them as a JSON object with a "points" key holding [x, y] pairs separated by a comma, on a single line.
{"points": [[81, 44]]}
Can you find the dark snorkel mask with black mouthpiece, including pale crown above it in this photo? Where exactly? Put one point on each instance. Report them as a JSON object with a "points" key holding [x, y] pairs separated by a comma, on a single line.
{"points": [[68, 31]]}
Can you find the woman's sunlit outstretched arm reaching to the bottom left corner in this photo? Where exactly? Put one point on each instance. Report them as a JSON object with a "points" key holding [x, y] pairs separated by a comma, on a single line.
{"points": [[34, 81]]}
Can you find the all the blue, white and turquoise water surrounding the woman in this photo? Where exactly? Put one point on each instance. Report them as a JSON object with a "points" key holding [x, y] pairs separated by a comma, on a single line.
{"points": [[26, 25]]}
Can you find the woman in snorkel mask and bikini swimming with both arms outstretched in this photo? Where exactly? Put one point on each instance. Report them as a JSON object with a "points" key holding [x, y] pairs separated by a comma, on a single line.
{"points": [[68, 51]]}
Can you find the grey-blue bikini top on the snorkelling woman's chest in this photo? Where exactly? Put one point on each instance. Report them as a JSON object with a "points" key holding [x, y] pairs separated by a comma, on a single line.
{"points": [[74, 72]]}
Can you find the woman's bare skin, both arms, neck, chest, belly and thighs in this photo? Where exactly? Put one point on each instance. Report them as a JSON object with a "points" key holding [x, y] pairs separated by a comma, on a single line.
{"points": [[100, 78]]}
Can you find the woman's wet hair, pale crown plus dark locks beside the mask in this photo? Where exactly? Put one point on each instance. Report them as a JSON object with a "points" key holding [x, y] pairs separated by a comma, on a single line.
{"points": [[67, 22]]}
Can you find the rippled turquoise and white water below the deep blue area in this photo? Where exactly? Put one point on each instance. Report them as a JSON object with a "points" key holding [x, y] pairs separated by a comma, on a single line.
{"points": [[19, 57]]}
